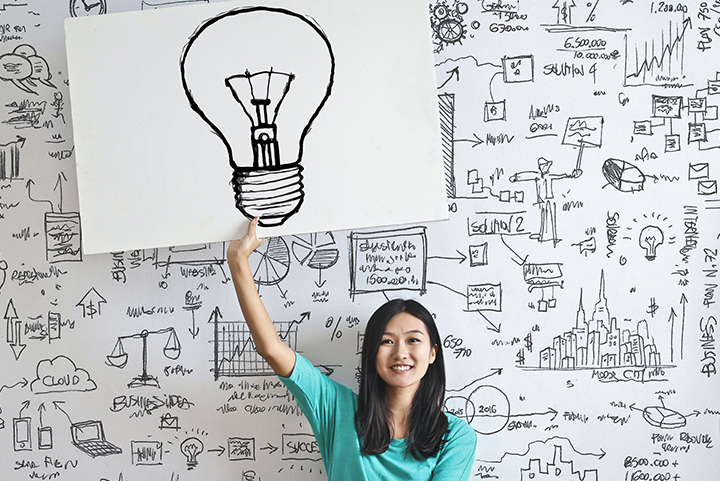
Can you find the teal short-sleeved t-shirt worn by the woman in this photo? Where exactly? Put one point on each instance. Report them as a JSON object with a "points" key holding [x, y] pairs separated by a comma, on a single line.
{"points": [[330, 408]]}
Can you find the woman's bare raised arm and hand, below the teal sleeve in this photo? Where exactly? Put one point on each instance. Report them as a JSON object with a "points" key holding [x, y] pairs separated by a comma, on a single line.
{"points": [[280, 357]]}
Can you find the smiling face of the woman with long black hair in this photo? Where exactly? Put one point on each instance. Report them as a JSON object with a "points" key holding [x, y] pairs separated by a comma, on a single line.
{"points": [[405, 352]]}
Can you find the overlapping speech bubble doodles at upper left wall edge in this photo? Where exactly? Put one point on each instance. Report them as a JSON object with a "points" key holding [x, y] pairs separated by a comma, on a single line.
{"points": [[24, 66]]}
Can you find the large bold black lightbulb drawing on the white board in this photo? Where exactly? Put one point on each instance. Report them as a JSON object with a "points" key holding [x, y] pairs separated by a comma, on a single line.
{"points": [[238, 69]]}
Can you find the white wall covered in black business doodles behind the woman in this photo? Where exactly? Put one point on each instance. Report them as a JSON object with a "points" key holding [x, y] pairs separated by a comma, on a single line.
{"points": [[575, 283]]}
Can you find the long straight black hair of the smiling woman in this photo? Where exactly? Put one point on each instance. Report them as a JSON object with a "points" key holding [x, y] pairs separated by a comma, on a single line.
{"points": [[428, 423]]}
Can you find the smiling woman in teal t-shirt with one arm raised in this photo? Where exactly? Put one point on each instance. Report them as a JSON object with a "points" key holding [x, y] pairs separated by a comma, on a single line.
{"points": [[394, 428]]}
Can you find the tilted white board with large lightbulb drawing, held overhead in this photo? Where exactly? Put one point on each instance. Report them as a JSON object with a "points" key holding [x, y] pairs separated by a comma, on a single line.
{"points": [[314, 116]]}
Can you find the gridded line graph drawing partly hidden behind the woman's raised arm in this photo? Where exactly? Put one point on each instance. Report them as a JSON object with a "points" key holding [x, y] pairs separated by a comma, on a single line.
{"points": [[235, 352]]}
